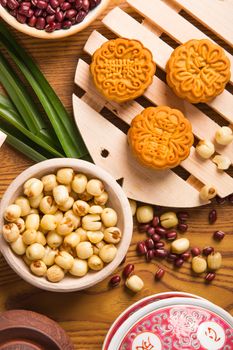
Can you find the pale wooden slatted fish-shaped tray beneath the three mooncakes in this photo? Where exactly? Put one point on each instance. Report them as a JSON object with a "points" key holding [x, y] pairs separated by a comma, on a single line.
{"points": [[108, 144]]}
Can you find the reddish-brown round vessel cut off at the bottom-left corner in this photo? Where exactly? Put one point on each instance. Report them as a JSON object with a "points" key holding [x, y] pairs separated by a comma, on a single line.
{"points": [[27, 330]]}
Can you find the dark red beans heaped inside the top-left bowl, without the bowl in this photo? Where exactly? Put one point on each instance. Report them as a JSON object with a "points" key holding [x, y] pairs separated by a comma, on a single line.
{"points": [[49, 15]]}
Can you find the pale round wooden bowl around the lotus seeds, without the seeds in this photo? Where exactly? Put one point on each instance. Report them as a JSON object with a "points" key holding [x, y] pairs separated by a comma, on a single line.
{"points": [[117, 200]]}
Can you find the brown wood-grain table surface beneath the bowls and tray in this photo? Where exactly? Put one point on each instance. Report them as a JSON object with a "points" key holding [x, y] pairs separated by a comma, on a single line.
{"points": [[87, 315]]}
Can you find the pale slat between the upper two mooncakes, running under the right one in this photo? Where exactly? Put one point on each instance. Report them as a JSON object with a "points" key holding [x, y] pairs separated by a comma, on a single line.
{"points": [[125, 26]]}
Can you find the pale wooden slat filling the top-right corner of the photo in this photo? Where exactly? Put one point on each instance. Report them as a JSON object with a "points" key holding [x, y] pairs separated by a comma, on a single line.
{"points": [[215, 14]]}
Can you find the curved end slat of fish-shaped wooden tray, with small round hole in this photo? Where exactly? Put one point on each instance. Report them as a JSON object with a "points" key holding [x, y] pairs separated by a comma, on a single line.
{"points": [[104, 135]]}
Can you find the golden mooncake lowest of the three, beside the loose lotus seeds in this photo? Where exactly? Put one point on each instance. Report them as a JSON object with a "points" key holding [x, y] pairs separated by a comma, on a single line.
{"points": [[160, 137]]}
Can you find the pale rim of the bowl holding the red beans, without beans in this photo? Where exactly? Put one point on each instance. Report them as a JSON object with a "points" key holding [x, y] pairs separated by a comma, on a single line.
{"points": [[57, 34]]}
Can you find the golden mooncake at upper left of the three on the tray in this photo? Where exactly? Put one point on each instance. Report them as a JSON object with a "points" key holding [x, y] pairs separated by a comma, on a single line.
{"points": [[122, 69]]}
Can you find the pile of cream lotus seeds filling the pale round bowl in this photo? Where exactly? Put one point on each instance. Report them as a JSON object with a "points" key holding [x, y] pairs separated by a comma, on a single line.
{"points": [[62, 225]]}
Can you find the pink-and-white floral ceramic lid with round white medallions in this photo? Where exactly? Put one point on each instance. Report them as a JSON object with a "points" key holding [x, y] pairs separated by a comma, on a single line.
{"points": [[175, 323]]}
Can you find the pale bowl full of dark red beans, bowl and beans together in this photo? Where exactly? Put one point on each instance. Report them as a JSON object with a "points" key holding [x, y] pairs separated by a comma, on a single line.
{"points": [[51, 19]]}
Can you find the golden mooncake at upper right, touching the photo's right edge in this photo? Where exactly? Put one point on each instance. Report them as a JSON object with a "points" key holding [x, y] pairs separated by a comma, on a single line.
{"points": [[198, 70]]}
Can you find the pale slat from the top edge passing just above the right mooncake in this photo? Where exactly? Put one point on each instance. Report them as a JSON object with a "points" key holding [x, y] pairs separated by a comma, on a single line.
{"points": [[170, 22]]}
